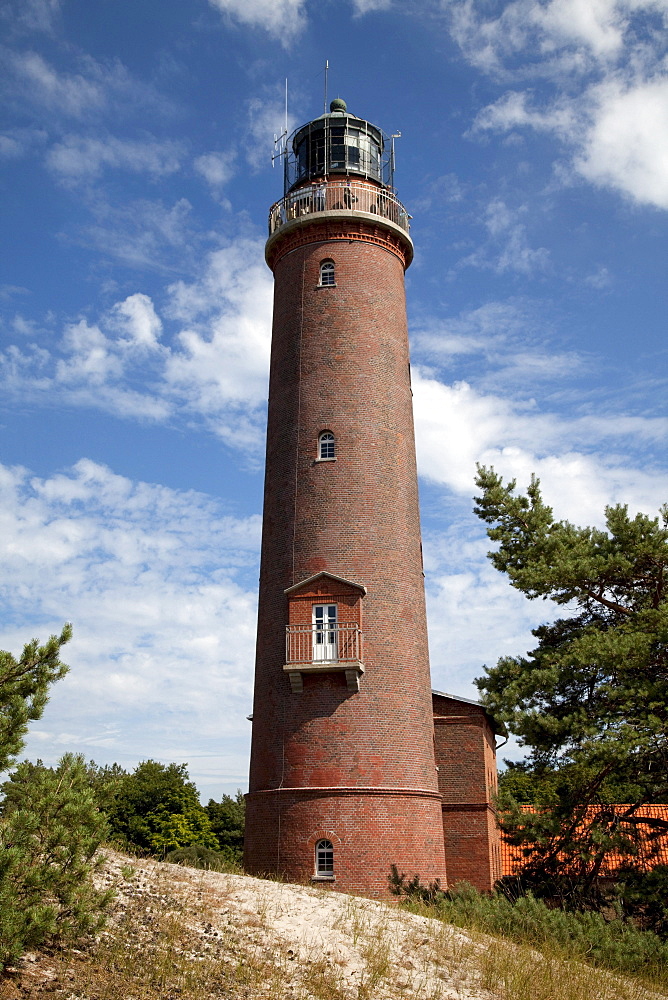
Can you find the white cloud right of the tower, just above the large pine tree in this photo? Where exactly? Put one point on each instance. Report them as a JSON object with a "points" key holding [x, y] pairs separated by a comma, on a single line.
{"points": [[457, 426]]}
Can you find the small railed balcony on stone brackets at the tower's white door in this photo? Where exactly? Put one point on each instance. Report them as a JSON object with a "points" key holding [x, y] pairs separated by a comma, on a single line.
{"points": [[311, 649]]}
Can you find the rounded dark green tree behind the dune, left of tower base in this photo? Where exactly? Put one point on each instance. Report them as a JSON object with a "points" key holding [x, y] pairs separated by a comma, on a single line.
{"points": [[157, 809]]}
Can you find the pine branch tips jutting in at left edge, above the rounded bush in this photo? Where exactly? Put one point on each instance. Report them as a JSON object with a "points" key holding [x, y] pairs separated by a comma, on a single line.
{"points": [[24, 685]]}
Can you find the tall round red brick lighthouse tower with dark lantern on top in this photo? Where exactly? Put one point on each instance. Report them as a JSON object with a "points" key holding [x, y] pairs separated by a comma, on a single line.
{"points": [[343, 780]]}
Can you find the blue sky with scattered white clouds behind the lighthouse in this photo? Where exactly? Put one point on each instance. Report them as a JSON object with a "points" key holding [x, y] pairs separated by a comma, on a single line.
{"points": [[135, 314]]}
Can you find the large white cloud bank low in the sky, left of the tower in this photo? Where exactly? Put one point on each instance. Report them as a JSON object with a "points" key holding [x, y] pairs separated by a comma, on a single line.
{"points": [[163, 630]]}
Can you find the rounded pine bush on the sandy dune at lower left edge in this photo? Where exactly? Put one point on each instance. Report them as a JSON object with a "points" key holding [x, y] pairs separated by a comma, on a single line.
{"points": [[50, 829]]}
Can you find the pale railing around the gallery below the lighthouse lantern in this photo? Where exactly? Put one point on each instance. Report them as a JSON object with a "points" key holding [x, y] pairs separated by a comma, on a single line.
{"points": [[338, 196]]}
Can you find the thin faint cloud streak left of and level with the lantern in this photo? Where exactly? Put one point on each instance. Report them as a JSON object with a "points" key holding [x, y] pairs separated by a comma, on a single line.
{"points": [[79, 158]]}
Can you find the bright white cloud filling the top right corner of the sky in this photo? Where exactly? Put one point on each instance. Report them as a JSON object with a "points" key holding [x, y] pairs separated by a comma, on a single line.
{"points": [[614, 122]]}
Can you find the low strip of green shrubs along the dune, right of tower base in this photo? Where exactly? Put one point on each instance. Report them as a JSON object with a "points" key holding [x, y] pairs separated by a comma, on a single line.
{"points": [[588, 937]]}
